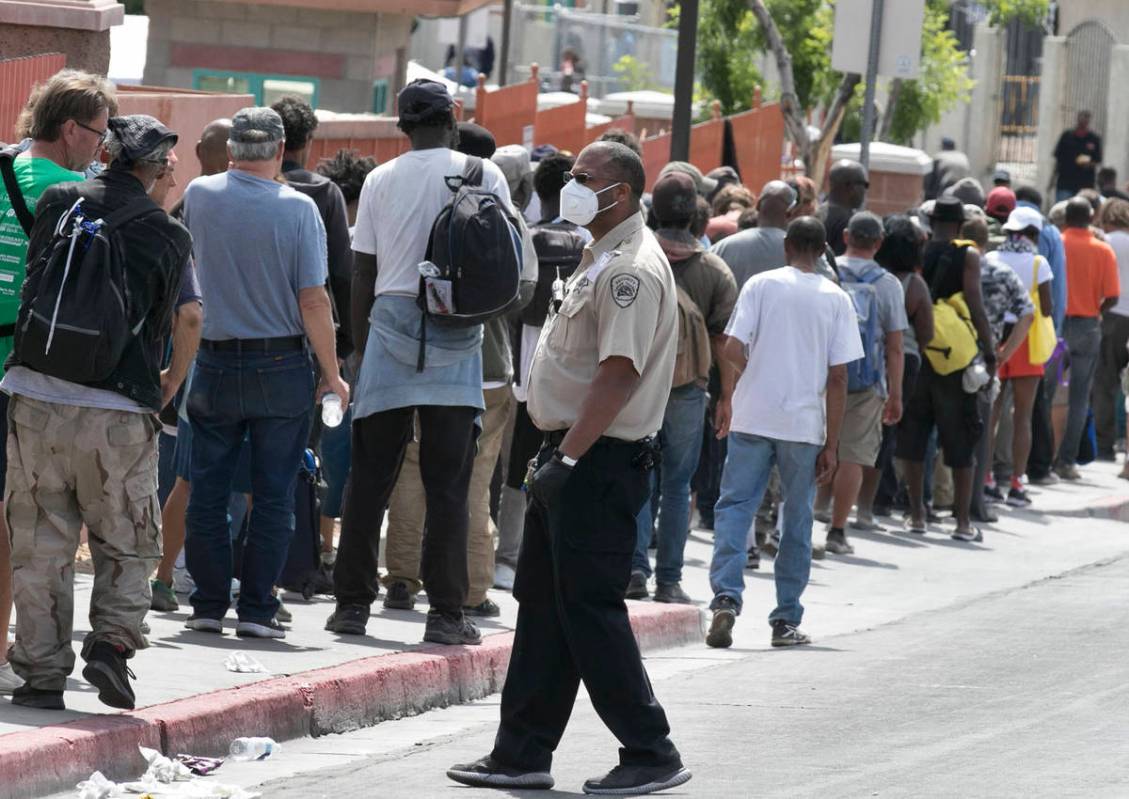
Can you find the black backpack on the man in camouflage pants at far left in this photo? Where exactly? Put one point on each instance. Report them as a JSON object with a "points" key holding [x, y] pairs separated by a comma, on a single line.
{"points": [[75, 318]]}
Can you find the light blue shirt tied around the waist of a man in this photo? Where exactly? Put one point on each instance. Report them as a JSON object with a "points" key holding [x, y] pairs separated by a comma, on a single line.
{"points": [[389, 376]]}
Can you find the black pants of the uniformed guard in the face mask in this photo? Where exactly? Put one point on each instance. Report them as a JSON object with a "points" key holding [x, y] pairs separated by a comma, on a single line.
{"points": [[573, 621]]}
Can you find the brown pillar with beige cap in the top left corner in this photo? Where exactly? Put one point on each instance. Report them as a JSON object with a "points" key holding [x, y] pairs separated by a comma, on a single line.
{"points": [[78, 29]]}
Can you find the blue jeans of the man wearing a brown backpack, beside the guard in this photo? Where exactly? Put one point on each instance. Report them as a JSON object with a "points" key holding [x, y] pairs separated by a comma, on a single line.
{"points": [[682, 444]]}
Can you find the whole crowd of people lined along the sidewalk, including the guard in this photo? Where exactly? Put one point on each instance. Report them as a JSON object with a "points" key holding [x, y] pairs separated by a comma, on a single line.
{"points": [[748, 361]]}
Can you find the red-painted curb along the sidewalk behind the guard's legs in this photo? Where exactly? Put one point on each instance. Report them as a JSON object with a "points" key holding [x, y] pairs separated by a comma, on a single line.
{"points": [[336, 699]]}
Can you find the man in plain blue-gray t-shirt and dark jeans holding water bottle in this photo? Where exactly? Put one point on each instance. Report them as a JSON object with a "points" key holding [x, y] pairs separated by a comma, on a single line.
{"points": [[260, 254]]}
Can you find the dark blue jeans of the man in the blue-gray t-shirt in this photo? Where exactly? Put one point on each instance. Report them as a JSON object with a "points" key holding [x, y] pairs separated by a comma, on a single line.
{"points": [[234, 394]]}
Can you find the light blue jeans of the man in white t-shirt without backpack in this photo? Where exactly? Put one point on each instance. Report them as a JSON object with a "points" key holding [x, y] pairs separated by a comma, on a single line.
{"points": [[745, 480]]}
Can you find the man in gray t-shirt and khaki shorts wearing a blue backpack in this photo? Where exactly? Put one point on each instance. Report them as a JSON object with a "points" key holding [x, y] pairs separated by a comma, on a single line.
{"points": [[869, 407]]}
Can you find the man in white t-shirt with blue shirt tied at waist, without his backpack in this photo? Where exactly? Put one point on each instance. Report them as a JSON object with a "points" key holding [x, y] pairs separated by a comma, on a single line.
{"points": [[398, 206]]}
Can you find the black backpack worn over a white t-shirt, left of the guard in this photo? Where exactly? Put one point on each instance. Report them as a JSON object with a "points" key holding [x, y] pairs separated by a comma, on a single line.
{"points": [[476, 257]]}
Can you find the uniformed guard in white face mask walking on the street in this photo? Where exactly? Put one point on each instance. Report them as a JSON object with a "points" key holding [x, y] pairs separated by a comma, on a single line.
{"points": [[599, 387]]}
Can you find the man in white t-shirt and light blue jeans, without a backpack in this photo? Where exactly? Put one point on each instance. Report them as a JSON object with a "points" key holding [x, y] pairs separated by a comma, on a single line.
{"points": [[784, 390]]}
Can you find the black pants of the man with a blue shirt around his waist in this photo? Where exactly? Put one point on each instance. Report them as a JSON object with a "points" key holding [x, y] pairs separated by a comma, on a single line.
{"points": [[448, 442]]}
